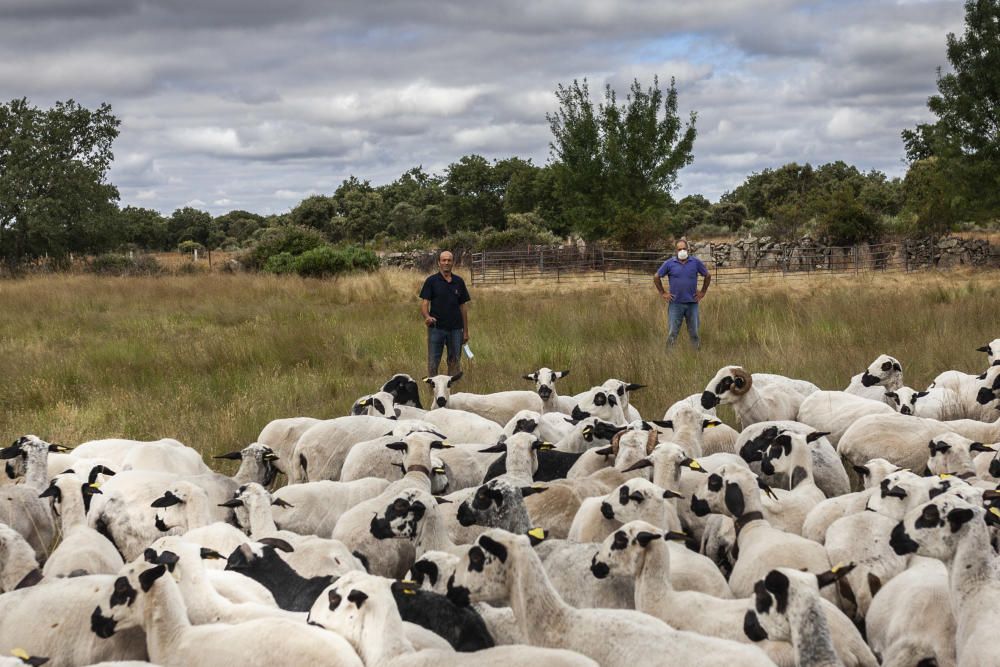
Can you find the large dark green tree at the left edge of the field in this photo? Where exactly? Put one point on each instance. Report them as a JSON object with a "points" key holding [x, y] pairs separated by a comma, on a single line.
{"points": [[53, 195]]}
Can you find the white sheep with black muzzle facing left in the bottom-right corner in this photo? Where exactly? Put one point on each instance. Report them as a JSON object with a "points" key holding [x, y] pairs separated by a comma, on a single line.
{"points": [[957, 532]]}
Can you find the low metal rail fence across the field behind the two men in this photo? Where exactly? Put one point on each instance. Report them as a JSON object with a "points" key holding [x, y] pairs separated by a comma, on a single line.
{"points": [[595, 263]]}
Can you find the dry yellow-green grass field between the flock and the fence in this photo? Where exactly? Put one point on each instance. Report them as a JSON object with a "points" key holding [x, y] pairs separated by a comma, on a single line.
{"points": [[211, 359]]}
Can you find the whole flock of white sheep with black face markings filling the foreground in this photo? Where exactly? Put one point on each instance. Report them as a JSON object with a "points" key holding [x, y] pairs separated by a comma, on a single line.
{"points": [[851, 527]]}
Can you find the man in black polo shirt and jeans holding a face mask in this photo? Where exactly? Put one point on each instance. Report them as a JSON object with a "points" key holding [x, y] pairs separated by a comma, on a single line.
{"points": [[443, 299]]}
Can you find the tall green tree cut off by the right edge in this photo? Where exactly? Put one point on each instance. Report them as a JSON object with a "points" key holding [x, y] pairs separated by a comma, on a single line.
{"points": [[966, 136]]}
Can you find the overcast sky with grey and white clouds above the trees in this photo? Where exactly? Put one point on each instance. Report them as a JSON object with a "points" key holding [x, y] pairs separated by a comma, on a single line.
{"points": [[256, 104]]}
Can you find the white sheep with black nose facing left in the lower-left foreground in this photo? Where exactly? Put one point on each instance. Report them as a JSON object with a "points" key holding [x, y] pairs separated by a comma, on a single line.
{"points": [[150, 600]]}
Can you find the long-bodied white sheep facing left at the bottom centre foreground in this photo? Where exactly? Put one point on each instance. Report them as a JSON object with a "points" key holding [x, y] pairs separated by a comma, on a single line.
{"points": [[501, 566]]}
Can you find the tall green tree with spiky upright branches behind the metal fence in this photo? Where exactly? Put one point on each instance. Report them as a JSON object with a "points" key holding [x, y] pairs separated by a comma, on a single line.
{"points": [[620, 160]]}
